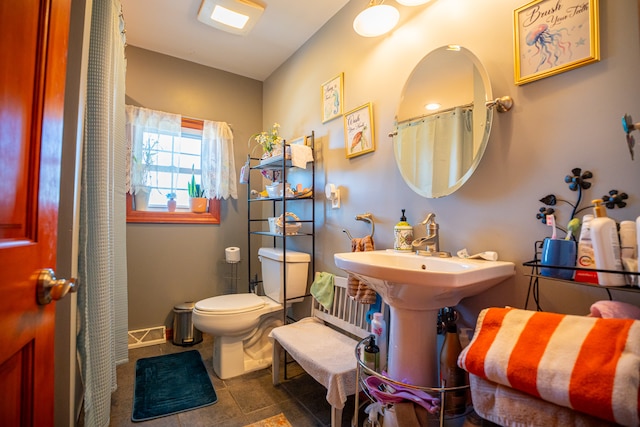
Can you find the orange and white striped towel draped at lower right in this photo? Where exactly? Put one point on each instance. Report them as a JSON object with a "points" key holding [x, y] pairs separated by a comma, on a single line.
{"points": [[588, 364]]}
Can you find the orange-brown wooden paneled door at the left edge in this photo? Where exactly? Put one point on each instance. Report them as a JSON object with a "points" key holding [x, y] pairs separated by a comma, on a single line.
{"points": [[33, 45]]}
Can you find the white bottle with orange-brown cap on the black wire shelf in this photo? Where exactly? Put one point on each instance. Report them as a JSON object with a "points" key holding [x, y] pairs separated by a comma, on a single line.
{"points": [[606, 246]]}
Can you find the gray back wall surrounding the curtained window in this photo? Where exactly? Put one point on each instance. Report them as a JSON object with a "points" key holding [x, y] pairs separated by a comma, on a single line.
{"points": [[172, 263]]}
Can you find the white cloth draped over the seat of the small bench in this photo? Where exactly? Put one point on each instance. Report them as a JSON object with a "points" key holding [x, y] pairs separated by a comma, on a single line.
{"points": [[307, 341]]}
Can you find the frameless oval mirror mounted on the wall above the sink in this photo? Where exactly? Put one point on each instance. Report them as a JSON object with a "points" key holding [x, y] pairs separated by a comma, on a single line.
{"points": [[442, 125]]}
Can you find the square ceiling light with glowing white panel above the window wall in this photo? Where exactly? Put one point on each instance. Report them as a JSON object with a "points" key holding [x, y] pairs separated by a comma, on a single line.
{"points": [[232, 16]]}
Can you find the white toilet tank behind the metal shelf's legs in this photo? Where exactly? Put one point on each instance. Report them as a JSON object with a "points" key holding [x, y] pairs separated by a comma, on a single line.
{"points": [[273, 271]]}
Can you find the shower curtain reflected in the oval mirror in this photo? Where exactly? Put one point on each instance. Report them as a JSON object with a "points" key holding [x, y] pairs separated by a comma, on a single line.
{"points": [[442, 152]]}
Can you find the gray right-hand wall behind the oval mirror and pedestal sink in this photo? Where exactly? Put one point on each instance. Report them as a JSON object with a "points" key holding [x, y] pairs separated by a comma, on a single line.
{"points": [[558, 123]]}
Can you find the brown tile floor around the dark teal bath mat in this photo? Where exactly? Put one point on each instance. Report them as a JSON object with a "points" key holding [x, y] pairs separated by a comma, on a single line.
{"points": [[241, 400]]}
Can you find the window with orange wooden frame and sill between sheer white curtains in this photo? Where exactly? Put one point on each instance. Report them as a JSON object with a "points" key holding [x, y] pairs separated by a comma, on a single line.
{"points": [[169, 161]]}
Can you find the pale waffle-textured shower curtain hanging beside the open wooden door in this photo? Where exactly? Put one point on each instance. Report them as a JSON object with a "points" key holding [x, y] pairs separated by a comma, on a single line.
{"points": [[102, 295]]}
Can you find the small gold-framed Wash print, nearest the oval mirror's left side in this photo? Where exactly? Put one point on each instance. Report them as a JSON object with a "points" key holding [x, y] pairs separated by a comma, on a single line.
{"points": [[358, 131]]}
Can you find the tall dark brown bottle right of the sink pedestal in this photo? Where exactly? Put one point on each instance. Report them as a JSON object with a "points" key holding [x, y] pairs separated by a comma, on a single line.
{"points": [[451, 375]]}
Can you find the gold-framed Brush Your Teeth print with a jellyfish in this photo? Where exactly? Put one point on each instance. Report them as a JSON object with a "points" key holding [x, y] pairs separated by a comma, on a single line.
{"points": [[554, 36]]}
